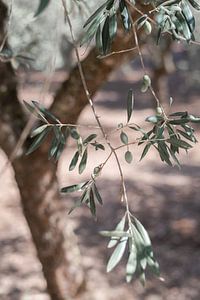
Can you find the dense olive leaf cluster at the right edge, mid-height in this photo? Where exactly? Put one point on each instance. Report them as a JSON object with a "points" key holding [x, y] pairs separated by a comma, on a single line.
{"points": [[169, 136]]}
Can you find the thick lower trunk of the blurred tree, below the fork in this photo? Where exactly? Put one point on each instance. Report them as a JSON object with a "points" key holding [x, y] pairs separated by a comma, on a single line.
{"points": [[52, 232]]}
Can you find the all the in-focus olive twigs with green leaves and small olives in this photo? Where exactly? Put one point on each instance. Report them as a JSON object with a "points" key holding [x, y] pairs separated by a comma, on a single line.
{"points": [[168, 134]]}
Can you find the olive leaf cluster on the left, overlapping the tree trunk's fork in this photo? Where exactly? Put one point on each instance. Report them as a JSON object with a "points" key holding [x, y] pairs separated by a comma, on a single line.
{"points": [[59, 135]]}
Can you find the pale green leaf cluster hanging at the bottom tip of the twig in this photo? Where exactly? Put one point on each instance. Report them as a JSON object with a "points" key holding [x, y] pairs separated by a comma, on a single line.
{"points": [[140, 253]]}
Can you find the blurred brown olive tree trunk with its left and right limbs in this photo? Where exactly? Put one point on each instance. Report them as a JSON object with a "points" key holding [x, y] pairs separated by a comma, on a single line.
{"points": [[36, 177]]}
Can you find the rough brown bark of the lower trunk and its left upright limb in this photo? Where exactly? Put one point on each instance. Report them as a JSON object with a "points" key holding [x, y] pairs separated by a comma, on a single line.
{"points": [[36, 178]]}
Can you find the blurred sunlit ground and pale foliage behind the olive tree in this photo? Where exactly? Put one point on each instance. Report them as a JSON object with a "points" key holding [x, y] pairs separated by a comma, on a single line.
{"points": [[165, 199]]}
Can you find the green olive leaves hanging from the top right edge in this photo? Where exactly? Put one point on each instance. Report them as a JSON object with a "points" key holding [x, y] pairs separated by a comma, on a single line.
{"points": [[175, 17]]}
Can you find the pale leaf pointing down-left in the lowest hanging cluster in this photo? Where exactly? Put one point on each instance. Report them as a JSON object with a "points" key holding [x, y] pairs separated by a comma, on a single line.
{"points": [[117, 254]]}
